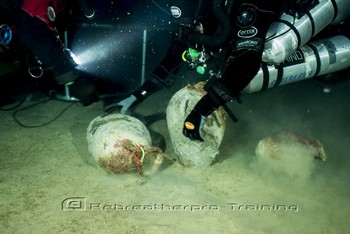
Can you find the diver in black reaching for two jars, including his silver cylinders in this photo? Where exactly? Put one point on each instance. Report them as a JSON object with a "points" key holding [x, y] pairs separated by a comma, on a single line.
{"points": [[226, 40]]}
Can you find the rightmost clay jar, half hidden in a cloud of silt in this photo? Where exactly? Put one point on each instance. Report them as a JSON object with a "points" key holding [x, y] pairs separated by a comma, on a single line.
{"points": [[287, 154]]}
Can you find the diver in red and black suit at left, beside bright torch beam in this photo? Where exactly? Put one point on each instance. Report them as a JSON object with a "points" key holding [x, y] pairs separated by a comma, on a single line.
{"points": [[36, 24]]}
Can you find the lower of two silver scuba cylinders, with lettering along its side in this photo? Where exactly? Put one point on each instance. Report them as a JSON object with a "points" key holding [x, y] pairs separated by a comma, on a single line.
{"points": [[311, 60]]}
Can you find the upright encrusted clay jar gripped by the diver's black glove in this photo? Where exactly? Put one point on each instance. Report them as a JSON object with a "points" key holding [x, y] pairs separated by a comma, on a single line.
{"points": [[192, 153]]}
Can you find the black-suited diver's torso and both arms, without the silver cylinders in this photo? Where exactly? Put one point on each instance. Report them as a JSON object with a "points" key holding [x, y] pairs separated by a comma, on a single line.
{"points": [[232, 34]]}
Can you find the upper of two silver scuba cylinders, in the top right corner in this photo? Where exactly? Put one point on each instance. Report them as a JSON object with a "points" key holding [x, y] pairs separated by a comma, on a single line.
{"points": [[290, 32]]}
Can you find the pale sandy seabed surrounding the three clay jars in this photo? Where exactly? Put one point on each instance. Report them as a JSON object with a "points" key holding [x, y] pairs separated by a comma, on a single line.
{"points": [[50, 184]]}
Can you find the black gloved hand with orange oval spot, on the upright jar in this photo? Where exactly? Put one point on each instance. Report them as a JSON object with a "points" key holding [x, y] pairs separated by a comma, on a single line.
{"points": [[193, 126]]}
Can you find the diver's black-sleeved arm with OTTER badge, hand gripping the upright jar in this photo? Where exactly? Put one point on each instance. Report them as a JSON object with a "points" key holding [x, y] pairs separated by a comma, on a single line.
{"points": [[252, 19]]}
